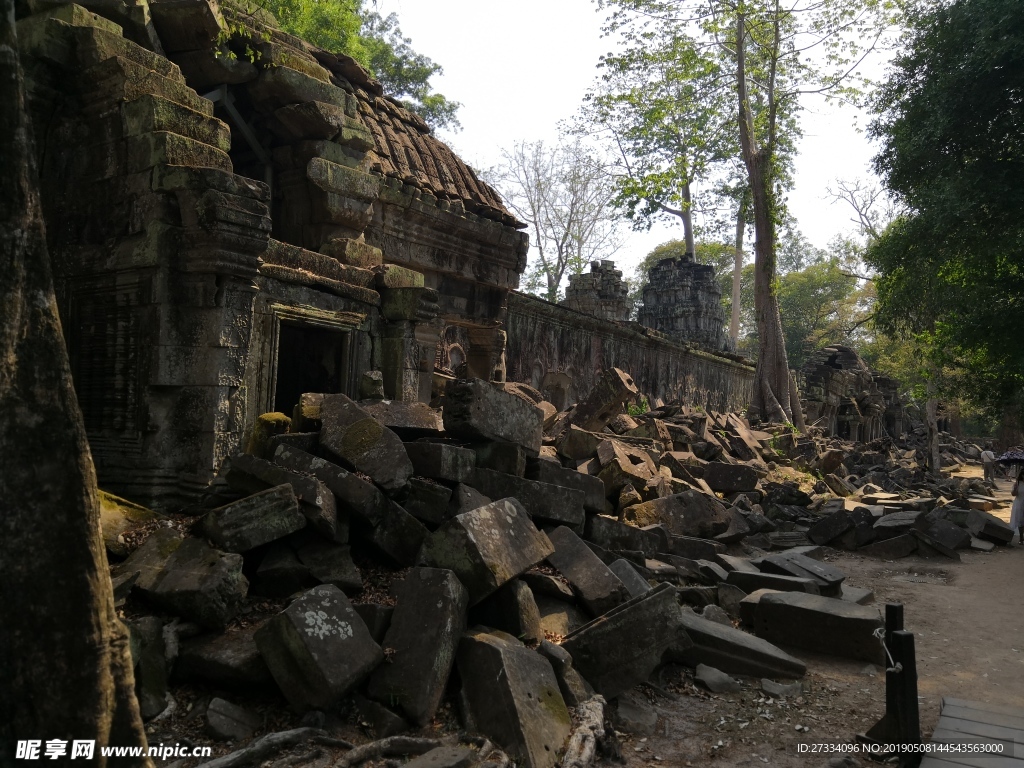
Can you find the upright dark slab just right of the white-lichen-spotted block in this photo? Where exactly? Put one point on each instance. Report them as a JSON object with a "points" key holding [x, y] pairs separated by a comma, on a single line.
{"points": [[429, 622]]}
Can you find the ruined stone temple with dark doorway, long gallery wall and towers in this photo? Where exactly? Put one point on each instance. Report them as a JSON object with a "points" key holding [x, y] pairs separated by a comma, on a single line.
{"points": [[229, 232]]}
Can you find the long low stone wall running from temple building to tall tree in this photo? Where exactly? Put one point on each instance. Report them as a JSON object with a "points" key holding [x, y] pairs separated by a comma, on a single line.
{"points": [[562, 353]]}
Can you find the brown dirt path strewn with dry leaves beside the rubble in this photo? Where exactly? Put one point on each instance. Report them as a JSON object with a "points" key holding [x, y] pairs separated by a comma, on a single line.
{"points": [[969, 633]]}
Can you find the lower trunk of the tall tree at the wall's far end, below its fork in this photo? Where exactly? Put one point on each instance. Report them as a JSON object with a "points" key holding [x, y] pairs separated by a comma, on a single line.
{"points": [[771, 399]]}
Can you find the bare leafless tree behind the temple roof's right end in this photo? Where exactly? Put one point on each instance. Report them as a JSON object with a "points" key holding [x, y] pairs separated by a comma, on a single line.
{"points": [[566, 196]]}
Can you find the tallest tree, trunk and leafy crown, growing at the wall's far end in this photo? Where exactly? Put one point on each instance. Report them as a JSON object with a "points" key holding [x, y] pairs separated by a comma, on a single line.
{"points": [[773, 51]]}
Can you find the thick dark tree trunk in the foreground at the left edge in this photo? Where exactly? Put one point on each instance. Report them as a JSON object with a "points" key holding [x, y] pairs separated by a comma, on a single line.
{"points": [[65, 664]]}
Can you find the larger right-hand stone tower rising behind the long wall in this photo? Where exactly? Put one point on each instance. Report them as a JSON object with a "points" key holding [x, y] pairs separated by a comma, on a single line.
{"points": [[684, 301]]}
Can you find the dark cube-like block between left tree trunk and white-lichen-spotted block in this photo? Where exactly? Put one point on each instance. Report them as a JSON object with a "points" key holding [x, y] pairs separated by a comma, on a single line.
{"points": [[201, 584]]}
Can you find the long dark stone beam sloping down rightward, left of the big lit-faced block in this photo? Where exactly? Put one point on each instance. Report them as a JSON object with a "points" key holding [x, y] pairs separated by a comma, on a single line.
{"points": [[379, 520]]}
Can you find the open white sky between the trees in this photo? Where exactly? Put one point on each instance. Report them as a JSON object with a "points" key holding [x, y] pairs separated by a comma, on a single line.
{"points": [[520, 68]]}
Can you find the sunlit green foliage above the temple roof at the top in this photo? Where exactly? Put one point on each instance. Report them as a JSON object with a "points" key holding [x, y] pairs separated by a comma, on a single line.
{"points": [[377, 44]]}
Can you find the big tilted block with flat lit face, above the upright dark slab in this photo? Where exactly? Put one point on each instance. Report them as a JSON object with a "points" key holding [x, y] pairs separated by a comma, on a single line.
{"points": [[488, 547]]}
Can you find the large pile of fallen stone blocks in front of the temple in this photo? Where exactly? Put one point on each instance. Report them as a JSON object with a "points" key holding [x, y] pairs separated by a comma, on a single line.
{"points": [[541, 563]]}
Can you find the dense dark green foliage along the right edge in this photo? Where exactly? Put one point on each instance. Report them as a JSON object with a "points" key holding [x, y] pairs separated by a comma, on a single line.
{"points": [[951, 270]]}
